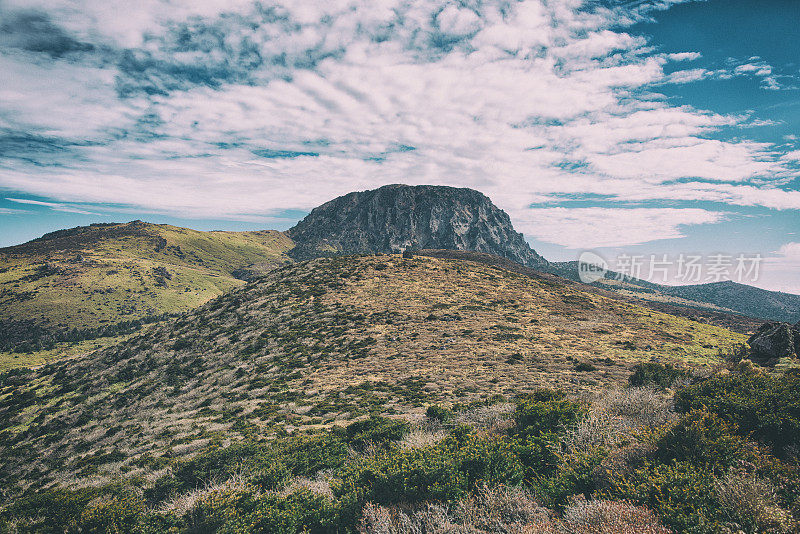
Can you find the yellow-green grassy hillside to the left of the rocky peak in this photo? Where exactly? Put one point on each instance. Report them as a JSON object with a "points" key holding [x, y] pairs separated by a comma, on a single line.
{"points": [[100, 275]]}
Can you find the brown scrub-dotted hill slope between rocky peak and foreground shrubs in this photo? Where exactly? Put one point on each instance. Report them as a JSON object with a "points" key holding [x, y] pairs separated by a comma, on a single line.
{"points": [[320, 343]]}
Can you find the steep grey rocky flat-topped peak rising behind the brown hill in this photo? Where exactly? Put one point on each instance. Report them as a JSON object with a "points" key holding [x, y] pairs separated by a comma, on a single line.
{"points": [[395, 217]]}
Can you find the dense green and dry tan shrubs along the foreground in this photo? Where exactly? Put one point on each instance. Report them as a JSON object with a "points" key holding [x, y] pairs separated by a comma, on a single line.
{"points": [[725, 461]]}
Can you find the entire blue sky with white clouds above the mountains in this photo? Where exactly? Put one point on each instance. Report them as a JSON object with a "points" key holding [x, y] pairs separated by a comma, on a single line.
{"points": [[631, 128]]}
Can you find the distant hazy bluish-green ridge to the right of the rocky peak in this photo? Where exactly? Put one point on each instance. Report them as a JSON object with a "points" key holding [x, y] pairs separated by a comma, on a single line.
{"points": [[725, 297]]}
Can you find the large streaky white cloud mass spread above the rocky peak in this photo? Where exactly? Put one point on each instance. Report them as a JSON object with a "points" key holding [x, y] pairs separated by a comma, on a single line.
{"points": [[524, 101]]}
